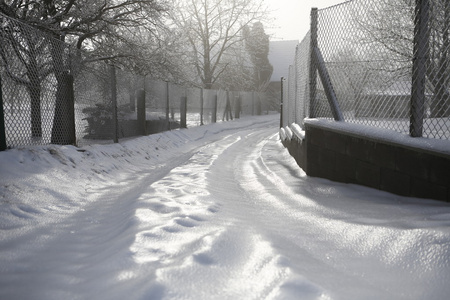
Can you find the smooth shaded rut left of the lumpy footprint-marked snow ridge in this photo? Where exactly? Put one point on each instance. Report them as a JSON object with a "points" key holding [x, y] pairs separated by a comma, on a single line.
{"points": [[88, 249]]}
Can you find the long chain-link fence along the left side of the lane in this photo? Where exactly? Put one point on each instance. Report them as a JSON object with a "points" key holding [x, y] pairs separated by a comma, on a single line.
{"points": [[54, 94]]}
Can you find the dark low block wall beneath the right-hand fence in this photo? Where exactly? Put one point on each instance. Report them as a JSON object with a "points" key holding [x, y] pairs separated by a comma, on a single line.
{"points": [[389, 166]]}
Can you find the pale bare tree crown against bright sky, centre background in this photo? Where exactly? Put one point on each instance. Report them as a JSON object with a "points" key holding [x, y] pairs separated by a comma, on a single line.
{"points": [[212, 28]]}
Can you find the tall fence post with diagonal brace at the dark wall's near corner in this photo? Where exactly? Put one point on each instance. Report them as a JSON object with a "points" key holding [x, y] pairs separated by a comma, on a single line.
{"points": [[312, 63]]}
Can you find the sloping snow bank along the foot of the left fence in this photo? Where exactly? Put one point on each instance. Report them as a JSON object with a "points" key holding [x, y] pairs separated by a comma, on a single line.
{"points": [[39, 180]]}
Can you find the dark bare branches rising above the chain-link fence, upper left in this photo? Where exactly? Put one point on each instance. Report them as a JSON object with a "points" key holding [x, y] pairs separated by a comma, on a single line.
{"points": [[109, 28]]}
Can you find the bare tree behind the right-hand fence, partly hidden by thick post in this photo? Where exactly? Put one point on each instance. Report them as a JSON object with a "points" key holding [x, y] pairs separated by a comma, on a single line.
{"points": [[389, 25]]}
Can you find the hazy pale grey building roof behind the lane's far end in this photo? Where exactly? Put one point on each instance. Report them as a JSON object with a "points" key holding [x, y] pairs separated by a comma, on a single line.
{"points": [[281, 56]]}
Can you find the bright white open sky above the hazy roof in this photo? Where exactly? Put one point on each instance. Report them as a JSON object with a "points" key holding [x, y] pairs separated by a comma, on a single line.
{"points": [[291, 17]]}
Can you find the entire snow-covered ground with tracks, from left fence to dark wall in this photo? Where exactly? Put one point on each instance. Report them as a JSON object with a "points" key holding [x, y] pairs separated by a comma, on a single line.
{"points": [[214, 212]]}
